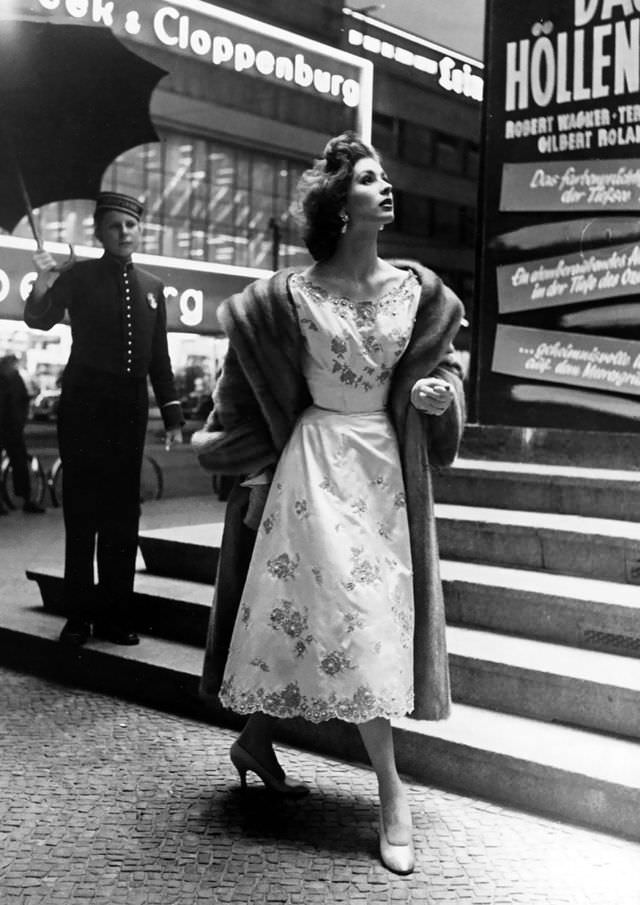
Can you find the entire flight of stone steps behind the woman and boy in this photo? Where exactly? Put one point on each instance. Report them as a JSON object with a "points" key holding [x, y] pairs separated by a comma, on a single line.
{"points": [[542, 635]]}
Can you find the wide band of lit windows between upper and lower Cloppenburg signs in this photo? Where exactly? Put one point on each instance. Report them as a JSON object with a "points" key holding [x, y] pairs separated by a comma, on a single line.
{"points": [[205, 201]]}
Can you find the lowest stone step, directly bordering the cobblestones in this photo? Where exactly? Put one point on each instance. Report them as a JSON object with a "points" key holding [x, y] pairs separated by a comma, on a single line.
{"points": [[567, 773]]}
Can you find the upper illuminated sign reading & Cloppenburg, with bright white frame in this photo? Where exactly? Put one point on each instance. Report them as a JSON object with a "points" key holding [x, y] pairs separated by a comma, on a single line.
{"points": [[229, 40]]}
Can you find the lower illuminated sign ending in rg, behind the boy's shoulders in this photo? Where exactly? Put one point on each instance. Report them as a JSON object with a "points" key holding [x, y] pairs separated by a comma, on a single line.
{"points": [[193, 290]]}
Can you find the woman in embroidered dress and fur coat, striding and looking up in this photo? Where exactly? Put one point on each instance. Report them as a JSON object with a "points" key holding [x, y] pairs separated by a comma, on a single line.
{"points": [[339, 390]]}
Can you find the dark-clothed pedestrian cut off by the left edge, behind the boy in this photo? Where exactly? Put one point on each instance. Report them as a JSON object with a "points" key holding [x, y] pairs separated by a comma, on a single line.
{"points": [[14, 410]]}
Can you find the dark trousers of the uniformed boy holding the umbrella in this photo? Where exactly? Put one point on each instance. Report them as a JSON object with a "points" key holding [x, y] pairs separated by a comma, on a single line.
{"points": [[102, 423]]}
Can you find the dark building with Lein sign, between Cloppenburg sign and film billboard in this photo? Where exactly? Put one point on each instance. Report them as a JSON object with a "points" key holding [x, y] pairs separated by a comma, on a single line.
{"points": [[427, 103]]}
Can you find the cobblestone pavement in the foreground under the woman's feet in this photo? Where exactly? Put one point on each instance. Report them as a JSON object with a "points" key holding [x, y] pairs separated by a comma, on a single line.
{"points": [[103, 801]]}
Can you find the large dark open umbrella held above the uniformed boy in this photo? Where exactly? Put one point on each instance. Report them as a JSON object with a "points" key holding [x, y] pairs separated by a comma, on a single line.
{"points": [[72, 98]]}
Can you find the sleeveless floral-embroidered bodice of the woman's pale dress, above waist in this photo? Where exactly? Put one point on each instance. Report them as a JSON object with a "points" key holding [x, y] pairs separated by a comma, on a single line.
{"points": [[352, 347]]}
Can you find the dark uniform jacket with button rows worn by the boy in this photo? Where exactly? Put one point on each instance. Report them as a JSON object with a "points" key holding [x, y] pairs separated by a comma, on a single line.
{"points": [[118, 323]]}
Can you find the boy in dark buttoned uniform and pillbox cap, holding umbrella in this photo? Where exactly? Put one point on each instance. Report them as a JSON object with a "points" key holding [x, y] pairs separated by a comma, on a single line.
{"points": [[119, 339]]}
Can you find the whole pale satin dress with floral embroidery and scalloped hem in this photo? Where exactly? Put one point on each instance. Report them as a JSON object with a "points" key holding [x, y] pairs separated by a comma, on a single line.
{"points": [[325, 625]]}
